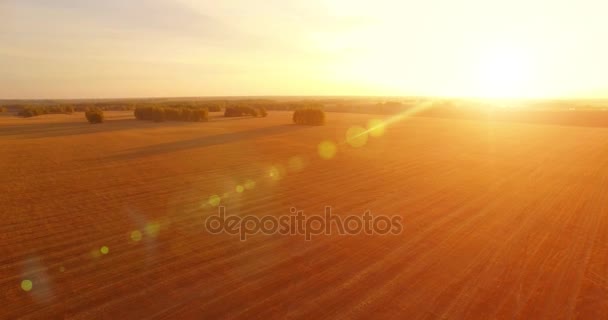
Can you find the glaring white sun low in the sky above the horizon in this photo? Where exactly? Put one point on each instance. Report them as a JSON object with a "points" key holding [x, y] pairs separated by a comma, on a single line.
{"points": [[503, 72]]}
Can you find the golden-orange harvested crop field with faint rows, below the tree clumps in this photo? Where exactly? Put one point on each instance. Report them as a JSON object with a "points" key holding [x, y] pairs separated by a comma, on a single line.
{"points": [[500, 219]]}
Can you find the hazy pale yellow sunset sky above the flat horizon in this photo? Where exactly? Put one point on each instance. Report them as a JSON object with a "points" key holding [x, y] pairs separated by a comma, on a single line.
{"points": [[161, 48]]}
